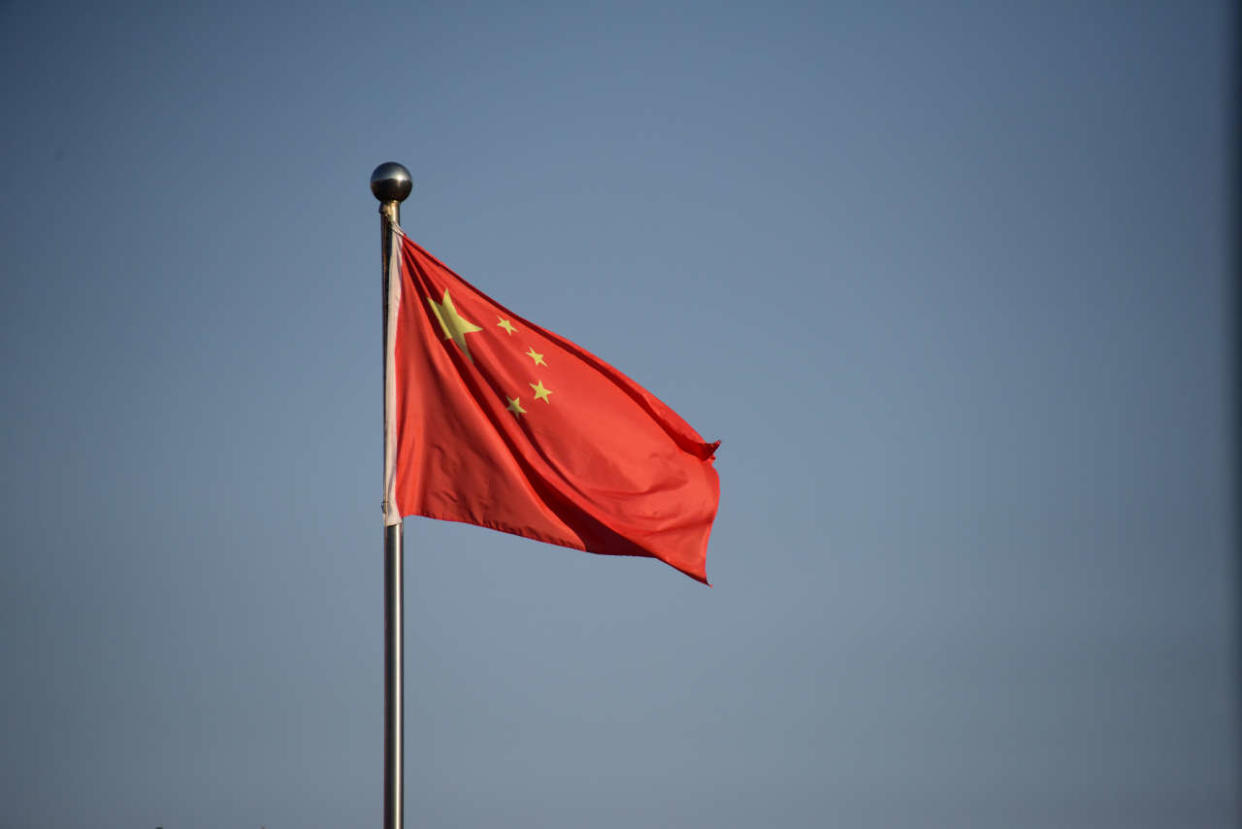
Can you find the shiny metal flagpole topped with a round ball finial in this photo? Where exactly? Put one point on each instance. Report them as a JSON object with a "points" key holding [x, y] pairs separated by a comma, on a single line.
{"points": [[392, 185]]}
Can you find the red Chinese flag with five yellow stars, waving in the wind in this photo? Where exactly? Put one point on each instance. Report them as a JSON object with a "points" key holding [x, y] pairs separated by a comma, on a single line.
{"points": [[504, 424]]}
